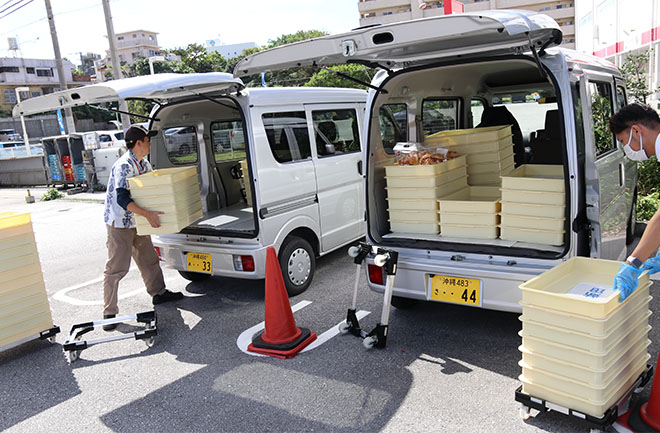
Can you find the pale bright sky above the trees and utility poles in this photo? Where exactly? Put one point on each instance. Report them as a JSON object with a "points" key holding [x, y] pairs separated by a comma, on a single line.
{"points": [[81, 27]]}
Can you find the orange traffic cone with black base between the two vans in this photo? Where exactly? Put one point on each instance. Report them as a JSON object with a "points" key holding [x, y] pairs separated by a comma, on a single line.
{"points": [[281, 338]]}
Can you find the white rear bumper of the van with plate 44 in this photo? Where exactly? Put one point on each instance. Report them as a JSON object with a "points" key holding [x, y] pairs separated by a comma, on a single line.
{"points": [[499, 285]]}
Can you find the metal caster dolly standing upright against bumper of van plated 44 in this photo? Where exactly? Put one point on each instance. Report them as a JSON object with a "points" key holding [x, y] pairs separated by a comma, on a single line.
{"points": [[386, 259]]}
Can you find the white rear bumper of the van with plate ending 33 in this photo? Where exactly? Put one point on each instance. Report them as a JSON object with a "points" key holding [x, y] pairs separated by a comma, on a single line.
{"points": [[174, 256]]}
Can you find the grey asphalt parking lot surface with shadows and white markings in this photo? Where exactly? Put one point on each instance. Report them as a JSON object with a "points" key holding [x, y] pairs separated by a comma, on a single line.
{"points": [[446, 368]]}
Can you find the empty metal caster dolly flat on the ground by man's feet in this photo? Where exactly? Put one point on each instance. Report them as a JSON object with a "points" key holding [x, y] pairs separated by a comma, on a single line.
{"points": [[74, 343]]}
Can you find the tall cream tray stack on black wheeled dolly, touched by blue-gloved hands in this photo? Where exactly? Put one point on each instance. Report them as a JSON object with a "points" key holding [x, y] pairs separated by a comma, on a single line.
{"points": [[583, 352]]}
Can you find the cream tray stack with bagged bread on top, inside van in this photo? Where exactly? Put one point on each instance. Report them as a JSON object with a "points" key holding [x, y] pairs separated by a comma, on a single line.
{"points": [[413, 191]]}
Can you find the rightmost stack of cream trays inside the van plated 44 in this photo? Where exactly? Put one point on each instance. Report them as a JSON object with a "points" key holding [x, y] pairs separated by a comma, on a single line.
{"points": [[533, 204]]}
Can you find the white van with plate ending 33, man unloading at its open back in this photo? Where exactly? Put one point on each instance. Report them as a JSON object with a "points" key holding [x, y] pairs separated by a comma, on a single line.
{"points": [[277, 167]]}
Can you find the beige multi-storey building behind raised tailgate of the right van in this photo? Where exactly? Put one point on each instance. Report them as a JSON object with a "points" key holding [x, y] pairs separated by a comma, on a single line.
{"points": [[389, 11]]}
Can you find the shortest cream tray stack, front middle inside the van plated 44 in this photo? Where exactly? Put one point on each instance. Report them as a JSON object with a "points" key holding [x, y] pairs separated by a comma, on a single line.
{"points": [[472, 212]]}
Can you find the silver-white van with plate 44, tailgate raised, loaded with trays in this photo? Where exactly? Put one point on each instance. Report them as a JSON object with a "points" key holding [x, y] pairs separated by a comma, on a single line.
{"points": [[483, 69]]}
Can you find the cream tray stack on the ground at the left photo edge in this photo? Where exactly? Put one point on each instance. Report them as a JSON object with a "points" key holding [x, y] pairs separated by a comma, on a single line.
{"points": [[24, 307]]}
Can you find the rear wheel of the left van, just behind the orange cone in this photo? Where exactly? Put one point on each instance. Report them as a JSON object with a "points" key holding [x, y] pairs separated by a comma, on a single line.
{"points": [[298, 264]]}
